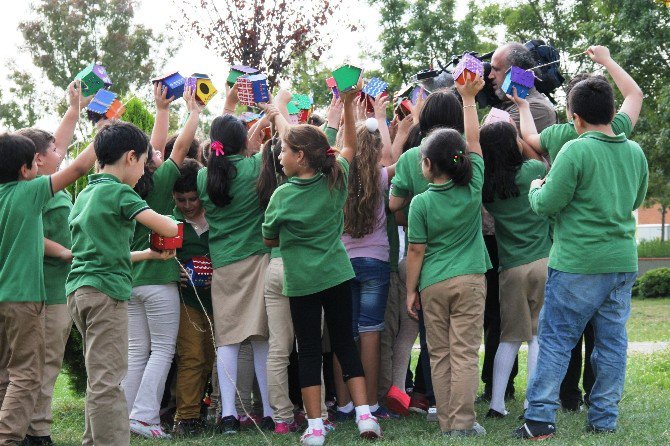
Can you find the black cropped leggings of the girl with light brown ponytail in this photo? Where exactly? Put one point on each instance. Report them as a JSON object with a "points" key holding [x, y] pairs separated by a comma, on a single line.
{"points": [[306, 316]]}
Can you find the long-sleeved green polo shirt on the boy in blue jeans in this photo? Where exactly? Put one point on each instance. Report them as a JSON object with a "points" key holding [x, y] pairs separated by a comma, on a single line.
{"points": [[592, 189]]}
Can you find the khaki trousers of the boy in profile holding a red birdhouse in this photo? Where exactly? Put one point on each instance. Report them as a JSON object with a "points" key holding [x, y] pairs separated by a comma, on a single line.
{"points": [[103, 324]]}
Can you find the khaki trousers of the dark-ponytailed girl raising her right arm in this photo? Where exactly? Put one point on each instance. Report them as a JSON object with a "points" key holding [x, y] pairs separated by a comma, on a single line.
{"points": [[454, 315]]}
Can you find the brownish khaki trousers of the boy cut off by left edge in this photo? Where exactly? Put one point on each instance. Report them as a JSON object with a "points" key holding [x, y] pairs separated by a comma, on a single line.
{"points": [[21, 365]]}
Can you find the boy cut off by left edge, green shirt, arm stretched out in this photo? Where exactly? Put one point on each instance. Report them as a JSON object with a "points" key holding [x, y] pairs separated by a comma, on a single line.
{"points": [[23, 197]]}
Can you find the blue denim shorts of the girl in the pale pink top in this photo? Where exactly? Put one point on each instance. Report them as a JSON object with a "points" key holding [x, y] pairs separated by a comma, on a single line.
{"points": [[369, 293]]}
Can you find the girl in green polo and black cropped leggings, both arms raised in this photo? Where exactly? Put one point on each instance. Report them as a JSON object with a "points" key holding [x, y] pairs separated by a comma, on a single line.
{"points": [[305, 219]]}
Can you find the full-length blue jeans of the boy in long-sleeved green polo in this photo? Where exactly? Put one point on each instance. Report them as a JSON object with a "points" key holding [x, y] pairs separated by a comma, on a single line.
{"points": [[570, 301]]}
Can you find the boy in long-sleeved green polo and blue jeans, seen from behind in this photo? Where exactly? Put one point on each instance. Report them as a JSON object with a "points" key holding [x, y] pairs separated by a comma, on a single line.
{"points": [[595, 183]]}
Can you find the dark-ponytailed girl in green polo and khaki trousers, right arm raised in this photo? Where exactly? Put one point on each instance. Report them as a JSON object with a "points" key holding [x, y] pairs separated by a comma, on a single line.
{"points": [[447, 260]]}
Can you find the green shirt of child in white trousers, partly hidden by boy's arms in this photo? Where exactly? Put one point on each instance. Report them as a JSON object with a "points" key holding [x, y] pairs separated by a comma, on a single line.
{"points": [[156, 272]]}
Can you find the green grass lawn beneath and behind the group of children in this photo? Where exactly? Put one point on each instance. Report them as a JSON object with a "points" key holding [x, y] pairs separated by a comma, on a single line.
{"points": [[645, 408]]}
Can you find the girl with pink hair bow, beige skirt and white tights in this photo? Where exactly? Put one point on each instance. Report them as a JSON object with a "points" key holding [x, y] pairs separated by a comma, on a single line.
{"points": [[227, 189]]}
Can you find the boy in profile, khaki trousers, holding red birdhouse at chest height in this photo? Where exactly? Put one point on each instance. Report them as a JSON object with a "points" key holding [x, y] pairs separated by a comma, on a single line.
{"points": [[102, 222]]}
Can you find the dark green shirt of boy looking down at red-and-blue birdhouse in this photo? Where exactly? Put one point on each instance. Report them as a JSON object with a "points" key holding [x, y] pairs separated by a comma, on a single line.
{"points": [[194, 246]]}
